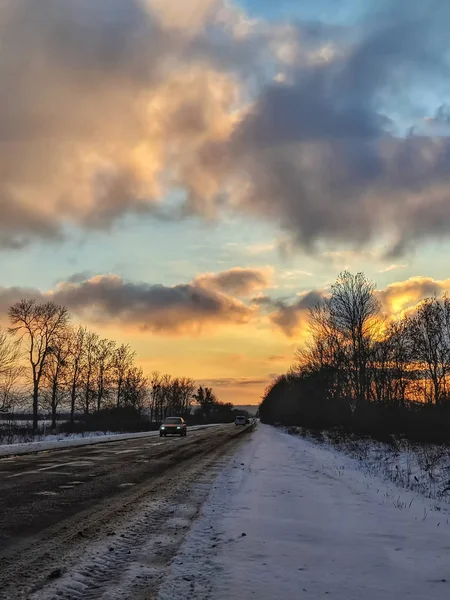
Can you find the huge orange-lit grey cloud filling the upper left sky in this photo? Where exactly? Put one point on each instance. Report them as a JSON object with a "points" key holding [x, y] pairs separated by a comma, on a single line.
{"points": [[115, 95]]}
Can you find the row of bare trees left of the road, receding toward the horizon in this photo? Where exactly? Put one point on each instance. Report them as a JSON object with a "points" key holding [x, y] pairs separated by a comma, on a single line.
{"points": [[48, 364]]}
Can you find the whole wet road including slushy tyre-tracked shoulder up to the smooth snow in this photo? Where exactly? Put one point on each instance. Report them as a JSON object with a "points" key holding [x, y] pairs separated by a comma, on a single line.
{"points": [[57, 508]]}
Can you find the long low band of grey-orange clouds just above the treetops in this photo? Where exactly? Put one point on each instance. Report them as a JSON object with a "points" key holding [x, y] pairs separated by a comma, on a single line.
{"points": [[194, 308]]}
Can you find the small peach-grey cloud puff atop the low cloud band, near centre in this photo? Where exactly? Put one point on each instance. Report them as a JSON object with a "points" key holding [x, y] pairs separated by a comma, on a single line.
{"points": [[238, 281]]}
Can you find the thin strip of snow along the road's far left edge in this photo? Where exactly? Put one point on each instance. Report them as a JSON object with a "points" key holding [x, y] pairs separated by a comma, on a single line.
{"points": [[57, 442]]}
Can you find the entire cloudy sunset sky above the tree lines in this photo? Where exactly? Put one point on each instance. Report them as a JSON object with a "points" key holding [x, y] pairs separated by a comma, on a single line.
{"points": [[189, 177]]}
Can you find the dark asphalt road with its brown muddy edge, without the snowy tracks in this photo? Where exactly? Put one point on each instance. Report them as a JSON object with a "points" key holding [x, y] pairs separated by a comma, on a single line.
{"points": [[54, 503]]}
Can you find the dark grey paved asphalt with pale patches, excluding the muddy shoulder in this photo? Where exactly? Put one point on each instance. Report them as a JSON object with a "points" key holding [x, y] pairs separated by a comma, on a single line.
{"points": [[39, 490]]}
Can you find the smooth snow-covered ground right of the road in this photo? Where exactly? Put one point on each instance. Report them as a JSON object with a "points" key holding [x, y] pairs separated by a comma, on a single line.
{"points": [[290, 518]]}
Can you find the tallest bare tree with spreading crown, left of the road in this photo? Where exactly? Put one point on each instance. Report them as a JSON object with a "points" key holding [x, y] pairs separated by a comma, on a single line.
{"points": [[38, 326]]}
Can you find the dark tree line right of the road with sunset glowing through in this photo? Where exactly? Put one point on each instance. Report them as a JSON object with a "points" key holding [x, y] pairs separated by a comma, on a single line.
{"points": [[365, 372]]}
